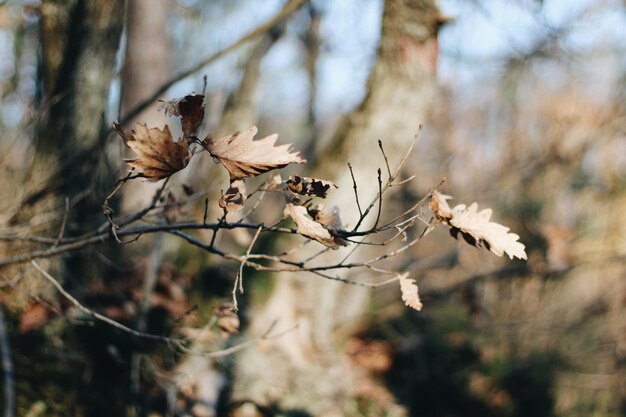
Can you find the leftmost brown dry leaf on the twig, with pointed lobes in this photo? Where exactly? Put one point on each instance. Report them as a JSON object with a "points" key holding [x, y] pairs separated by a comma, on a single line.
{"points": [[158, 156]]}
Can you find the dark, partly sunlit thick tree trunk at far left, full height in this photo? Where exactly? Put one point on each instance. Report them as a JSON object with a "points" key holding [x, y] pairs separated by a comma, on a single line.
{"points": [[79, 42]]}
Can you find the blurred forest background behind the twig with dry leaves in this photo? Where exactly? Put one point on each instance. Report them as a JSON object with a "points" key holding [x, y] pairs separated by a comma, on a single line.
{"points": [[523, 105]]}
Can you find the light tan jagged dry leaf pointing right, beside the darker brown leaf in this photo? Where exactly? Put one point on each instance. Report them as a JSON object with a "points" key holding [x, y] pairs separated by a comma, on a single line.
{"points": [[243, 157]]}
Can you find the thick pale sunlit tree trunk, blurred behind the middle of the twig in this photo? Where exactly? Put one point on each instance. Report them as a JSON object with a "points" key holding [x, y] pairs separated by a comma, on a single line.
{"points": [[307, 368]]}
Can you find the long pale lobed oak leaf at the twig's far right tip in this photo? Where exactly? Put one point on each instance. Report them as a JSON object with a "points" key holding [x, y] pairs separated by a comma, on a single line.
{"points": [[476, 228]]}
